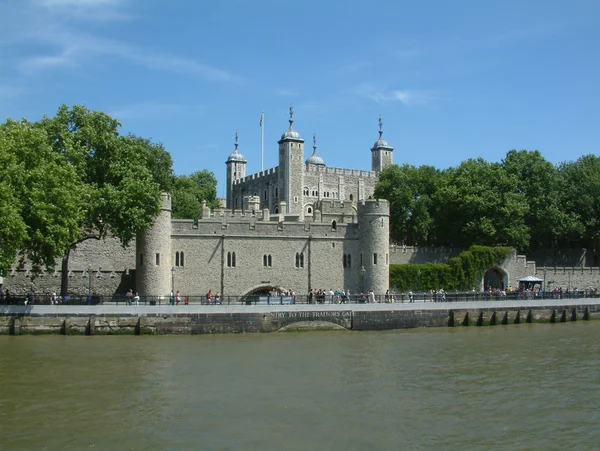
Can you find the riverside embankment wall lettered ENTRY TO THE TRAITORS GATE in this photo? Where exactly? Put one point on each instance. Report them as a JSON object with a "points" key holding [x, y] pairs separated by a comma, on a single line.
{"points": [[20, 321]]}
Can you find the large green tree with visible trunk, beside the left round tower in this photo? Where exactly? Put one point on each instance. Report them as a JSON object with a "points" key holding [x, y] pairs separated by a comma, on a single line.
{"points": [[123, 175]]}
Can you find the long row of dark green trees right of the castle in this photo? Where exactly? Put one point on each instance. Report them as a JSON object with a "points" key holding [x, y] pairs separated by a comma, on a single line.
{"points": [[524, 201]]}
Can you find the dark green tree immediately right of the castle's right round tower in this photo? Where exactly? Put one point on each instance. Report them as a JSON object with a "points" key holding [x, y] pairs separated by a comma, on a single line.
{"points": [[409, 190]]}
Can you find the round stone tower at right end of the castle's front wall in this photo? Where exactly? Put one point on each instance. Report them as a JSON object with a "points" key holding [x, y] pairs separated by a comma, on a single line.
{"points": [[374, 244]]}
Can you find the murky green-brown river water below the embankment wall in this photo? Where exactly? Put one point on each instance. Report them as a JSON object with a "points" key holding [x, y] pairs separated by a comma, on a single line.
{"points": [[516, 387]]}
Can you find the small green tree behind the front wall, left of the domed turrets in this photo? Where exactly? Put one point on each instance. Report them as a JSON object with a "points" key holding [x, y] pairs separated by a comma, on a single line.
{"points": [[188, 192]]}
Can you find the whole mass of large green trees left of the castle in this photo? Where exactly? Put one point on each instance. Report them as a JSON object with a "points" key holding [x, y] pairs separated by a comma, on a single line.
{"points": [[70, 178]]}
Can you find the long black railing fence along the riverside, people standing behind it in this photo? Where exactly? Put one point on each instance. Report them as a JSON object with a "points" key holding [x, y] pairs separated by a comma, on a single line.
{"points": [[37, 299]]}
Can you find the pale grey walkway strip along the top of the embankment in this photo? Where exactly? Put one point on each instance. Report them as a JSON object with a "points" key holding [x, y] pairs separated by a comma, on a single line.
{"points": [[169, 310]]}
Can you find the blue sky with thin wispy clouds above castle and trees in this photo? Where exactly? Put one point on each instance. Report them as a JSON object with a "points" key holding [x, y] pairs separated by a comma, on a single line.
{"points": [[453, 80]]}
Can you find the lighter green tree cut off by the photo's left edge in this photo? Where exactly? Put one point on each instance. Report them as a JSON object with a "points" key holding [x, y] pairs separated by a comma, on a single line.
{"points": [[41, 198]]}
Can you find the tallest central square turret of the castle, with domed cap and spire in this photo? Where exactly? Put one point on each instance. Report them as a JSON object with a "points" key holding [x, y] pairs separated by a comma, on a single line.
{"points": [[291, 169]]}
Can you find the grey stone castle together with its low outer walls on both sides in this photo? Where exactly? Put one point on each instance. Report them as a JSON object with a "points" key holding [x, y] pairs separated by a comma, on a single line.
{"points": [[301, 225]]}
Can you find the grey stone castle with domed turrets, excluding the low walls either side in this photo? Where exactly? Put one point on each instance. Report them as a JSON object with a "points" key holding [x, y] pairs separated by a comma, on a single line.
{"points": [[300, 225]]}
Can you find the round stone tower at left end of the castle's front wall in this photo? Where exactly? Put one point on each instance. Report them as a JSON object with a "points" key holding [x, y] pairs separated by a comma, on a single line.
{"points": [[153, 254]]}
